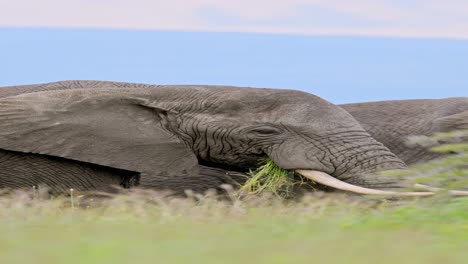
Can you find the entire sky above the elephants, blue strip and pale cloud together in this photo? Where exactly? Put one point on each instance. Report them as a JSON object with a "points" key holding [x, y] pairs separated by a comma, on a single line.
{"points": [[345, 53]]}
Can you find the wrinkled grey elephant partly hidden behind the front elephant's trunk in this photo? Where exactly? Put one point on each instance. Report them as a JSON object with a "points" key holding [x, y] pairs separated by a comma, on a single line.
{"points": [[393, 122]]}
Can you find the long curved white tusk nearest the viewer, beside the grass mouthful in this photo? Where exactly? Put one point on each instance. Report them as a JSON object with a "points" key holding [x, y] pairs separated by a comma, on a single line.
{"points": [[325, 179]]}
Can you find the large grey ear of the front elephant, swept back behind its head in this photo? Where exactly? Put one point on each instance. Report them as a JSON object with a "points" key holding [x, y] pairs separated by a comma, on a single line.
{"points": [[122, 129]]}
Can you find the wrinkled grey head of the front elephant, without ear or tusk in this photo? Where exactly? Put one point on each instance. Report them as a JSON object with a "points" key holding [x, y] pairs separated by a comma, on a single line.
{"points": [[296, 130]]}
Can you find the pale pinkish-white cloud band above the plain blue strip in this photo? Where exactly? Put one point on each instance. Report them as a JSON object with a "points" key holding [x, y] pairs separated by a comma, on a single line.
{"points": [[410, 18]]}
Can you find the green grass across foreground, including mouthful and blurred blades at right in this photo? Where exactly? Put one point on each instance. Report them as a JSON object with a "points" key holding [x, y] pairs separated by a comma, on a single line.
{"points": [[257, 226]]}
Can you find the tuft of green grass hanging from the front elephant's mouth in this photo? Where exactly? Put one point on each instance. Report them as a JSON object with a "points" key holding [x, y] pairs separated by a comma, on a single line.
{"points": [[269, 177]]}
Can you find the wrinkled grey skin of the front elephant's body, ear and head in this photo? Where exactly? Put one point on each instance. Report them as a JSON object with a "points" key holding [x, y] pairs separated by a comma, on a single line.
{"points": [[88, 135]]}
